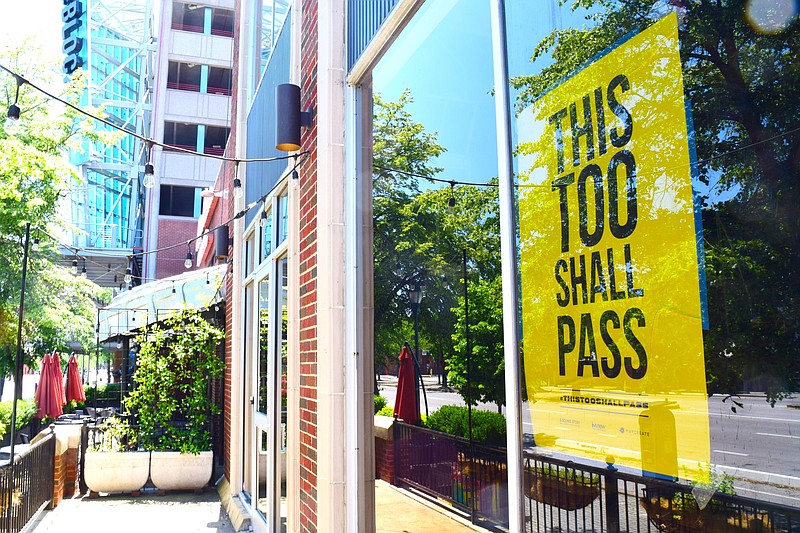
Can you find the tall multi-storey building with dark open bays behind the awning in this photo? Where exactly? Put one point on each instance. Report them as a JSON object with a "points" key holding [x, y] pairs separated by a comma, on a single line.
{"points": [[191, 113]]}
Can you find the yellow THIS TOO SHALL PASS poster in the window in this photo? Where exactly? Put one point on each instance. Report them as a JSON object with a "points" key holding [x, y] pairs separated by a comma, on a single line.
{"points": [[612, 330]]}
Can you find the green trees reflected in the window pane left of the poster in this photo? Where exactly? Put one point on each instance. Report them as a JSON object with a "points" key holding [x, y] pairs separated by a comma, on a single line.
{"points": [[419, 237]]}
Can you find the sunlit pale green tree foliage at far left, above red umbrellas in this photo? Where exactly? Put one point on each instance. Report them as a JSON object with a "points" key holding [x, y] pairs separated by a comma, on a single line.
{"points": [[34, 177]]}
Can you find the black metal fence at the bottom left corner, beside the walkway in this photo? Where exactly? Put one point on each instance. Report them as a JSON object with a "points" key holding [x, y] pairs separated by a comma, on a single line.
{"points": [[26, 485]]}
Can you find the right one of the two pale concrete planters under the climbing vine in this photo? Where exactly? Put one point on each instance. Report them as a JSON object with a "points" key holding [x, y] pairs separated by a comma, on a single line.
{"points": [[181, 471]]}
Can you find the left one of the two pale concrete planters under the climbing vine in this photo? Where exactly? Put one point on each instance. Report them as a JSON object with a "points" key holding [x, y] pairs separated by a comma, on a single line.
{"points": [[116, 471]]}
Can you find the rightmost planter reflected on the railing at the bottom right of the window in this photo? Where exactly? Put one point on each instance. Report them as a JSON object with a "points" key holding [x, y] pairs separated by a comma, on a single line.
{"points": [[683, 515]]}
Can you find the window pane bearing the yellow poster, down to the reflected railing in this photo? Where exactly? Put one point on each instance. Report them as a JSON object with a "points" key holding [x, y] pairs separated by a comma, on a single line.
{"points": [[658, 174]]}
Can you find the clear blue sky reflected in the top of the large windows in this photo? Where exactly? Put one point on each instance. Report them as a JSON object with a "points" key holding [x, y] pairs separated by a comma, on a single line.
{"points": [[445, 58]]}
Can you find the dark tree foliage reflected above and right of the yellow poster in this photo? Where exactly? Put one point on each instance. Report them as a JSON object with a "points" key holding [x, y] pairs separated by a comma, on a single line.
{"points": [[744, 89]]}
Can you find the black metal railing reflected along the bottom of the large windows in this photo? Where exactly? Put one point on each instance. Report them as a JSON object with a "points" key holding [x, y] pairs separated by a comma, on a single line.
{"points": [[565, 496]]}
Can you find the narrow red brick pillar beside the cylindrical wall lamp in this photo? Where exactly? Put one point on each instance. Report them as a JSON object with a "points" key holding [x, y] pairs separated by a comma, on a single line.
{"points": [[308, 276]]}
